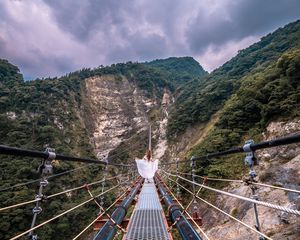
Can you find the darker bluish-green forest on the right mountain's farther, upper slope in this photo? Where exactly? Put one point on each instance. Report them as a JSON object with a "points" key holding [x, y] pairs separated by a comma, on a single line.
{"points": [[199, 100]]}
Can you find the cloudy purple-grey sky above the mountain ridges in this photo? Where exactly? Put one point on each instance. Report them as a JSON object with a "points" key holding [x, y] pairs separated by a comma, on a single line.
{"points": [[51, 38]]}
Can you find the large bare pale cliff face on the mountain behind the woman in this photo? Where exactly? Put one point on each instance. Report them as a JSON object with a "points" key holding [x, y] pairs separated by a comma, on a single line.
{"points": [[114, 109]]}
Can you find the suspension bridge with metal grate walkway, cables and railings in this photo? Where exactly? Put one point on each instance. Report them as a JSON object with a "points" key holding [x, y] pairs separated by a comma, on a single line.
{"points": [[145, 208]]}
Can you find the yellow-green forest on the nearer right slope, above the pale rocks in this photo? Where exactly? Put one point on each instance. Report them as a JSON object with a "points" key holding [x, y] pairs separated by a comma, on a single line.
{"points": [[263, 96]]}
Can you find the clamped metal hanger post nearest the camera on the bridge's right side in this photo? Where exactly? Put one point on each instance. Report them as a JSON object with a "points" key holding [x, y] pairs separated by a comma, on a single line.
{"points": [[250, 161]]}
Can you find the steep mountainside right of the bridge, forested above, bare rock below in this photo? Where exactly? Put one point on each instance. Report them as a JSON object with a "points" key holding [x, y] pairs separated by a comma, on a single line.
{"points": [[255, 95]]}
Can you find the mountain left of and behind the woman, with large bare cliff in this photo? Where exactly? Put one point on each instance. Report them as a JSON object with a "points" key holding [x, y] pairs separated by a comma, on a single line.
{"points": [[103, 112]]}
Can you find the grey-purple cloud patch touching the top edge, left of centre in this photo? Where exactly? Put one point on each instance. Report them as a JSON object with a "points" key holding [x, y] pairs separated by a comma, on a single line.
{"points": [[82, 18]]}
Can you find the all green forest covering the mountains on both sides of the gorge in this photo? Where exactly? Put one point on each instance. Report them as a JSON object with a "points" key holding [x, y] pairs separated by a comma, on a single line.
{"points": [[258, 85]]}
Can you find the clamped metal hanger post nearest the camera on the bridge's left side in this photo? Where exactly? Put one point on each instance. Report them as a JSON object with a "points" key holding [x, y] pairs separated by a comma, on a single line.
{"points": [[44, 169]]}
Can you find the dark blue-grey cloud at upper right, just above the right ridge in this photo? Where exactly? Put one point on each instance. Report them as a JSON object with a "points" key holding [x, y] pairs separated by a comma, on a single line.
{"points": [[239, 19]]}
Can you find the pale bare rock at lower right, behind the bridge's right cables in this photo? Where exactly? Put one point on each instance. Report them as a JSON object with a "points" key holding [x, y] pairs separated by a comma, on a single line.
{"points": [[278, 166]]}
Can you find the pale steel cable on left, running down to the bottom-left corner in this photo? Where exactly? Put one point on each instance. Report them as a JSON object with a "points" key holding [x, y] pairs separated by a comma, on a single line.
{"points": [[63, 213]]}
